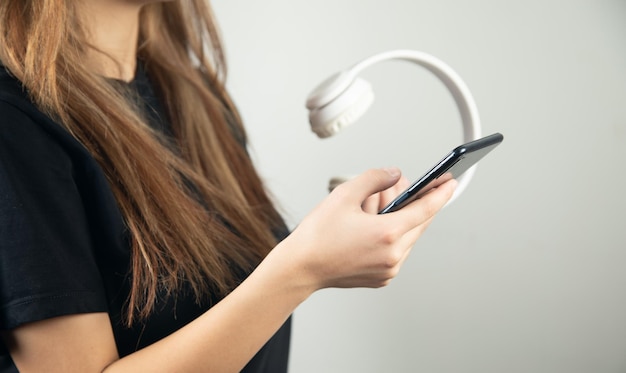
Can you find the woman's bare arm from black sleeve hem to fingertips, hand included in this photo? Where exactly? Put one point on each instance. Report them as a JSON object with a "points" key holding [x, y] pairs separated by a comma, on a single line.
{"points": [[337, 245]]}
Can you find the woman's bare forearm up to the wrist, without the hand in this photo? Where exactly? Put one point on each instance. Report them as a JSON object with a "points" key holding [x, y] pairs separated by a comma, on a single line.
{"points": [[227, 336]]}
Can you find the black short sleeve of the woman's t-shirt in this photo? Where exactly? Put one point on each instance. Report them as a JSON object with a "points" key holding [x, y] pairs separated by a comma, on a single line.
{"points": [[48, 266]]}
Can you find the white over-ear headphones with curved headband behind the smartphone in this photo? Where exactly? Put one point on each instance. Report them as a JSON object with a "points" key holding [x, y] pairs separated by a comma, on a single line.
{"points": [[344, 97]]}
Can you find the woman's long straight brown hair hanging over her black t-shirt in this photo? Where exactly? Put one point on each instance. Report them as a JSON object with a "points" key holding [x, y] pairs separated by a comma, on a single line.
{"points": [[193, 214]]}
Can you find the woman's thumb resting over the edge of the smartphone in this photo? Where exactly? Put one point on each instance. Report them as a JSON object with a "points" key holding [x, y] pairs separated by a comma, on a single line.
{"points": [[370, 182]]}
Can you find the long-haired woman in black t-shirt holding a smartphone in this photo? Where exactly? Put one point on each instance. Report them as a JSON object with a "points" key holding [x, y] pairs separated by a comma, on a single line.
{"points": [[135, 234]]}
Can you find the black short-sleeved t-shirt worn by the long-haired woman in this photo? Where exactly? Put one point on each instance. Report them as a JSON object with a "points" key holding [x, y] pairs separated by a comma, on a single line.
{"points": [[64, 246]]}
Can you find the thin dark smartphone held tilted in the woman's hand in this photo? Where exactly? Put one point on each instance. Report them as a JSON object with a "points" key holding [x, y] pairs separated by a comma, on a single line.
{"points": [[453, 165]]}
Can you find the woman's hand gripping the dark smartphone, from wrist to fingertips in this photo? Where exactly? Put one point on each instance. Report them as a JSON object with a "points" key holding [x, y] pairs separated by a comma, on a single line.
{"points": [[343, 242]]}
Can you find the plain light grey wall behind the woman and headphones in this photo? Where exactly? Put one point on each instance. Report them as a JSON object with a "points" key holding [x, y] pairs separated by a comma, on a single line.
{"points": [[526, 271]]}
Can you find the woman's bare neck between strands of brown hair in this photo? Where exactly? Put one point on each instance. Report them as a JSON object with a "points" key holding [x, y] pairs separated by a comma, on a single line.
{"points": [[113, 29]]}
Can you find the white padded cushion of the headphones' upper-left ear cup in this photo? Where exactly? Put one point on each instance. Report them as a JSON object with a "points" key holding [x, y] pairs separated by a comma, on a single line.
{"points": [[345, 109]]}
